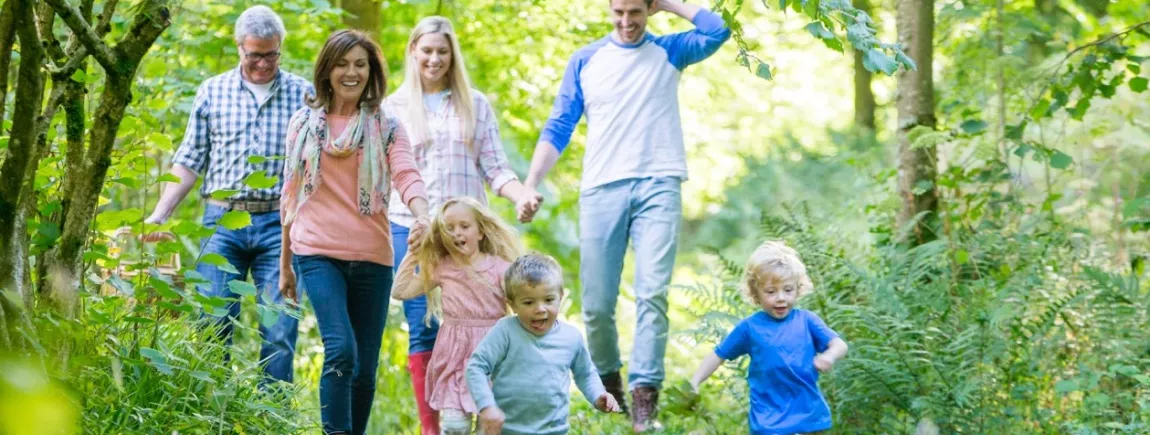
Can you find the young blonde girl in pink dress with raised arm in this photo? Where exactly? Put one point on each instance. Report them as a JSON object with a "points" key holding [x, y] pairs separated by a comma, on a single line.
{"points": [[462, 263]]}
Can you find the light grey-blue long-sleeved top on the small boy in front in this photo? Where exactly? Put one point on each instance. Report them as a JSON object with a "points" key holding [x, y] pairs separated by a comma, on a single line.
{"points": [[531, 376]]}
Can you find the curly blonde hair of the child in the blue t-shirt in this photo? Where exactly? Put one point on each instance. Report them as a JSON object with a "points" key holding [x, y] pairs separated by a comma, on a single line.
{"points": [[775, 263]]}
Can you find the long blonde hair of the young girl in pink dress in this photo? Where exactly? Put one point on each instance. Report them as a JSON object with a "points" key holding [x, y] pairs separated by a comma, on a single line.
{"points": [[500, 240]]}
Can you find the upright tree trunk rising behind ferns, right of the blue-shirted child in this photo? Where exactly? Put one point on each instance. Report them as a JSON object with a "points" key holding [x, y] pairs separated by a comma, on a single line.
{"points": [[917, 169]]}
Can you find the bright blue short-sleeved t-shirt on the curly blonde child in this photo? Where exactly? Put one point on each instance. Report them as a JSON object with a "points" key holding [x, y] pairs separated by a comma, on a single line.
{"points": [[785, 384]]}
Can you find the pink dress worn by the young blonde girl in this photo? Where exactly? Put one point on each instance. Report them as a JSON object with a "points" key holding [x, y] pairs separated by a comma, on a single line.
{"points": [[470, 311]]}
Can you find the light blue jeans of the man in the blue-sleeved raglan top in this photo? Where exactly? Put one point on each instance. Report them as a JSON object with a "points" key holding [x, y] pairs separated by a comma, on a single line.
{"points": [[648, 212]]}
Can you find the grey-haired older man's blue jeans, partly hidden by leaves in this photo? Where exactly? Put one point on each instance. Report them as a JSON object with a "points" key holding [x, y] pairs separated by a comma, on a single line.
{"points": [[252, 250]]}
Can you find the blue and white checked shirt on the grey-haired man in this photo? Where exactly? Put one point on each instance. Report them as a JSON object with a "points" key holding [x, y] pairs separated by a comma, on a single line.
{"points": [[228, 126]]}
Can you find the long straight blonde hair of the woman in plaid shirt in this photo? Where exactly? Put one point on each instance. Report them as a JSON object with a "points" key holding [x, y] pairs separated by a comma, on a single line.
{"points": [[458, 82]]}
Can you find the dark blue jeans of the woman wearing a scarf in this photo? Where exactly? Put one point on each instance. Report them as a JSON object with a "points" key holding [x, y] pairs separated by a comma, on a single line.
{"points": [[351, 308]]}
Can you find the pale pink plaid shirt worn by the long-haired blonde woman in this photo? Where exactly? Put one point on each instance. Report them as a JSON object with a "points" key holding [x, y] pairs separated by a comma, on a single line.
{"points": [[449, 170]]}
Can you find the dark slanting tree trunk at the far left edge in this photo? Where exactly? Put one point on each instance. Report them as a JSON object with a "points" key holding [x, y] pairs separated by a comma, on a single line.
{"points": [[22, 141]]}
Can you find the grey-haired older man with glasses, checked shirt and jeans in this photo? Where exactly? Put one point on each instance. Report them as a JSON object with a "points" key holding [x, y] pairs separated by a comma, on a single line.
{"points": [[236, 129]]}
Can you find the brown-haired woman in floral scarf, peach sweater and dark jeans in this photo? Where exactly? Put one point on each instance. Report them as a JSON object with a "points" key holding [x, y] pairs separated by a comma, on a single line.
{"points": [[344, 157]]}
